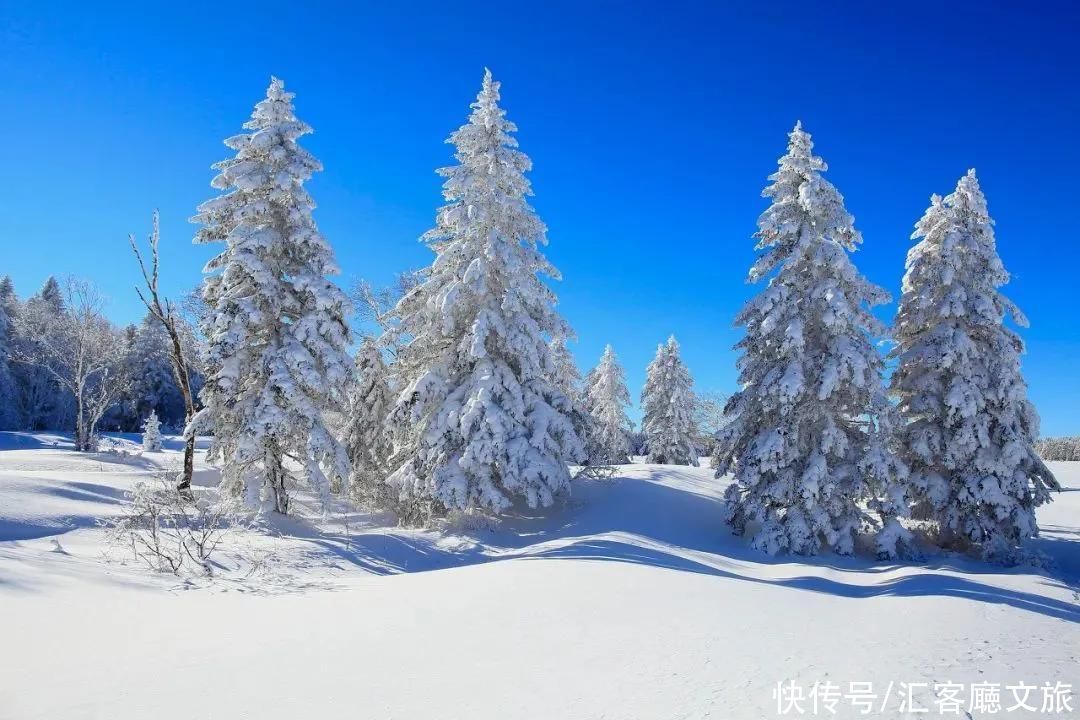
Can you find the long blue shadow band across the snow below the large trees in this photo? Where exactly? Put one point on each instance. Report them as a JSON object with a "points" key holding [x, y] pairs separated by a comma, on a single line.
{"points": [[649, 522]]}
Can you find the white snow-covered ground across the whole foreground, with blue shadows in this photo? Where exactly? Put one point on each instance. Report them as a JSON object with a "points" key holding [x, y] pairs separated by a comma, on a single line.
{"points": [[632, 602]]}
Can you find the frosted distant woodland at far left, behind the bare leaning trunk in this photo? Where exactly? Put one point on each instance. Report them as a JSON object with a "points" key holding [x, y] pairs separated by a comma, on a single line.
{"points": [[65, 366]]}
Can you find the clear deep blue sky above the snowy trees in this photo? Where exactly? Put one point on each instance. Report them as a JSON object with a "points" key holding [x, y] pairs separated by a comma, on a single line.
{"points": [[652, 126]]}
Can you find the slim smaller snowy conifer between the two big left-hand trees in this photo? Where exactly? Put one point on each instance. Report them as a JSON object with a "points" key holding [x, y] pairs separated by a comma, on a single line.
{"points": [[368, 441]]}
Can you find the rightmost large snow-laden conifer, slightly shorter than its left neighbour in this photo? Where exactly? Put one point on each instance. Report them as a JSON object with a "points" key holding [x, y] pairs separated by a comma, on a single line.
{"points": [[970, 431]]}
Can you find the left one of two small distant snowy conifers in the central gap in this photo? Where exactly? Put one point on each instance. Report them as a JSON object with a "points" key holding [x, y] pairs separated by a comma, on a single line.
{"points": [[607, 399]]}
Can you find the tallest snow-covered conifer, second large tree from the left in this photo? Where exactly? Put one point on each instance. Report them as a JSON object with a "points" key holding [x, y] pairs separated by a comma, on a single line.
{"points": [[478, 423]]}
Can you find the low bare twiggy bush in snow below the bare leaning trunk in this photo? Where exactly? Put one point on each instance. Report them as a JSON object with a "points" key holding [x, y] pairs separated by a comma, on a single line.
{"points": [[171, 529]]}
